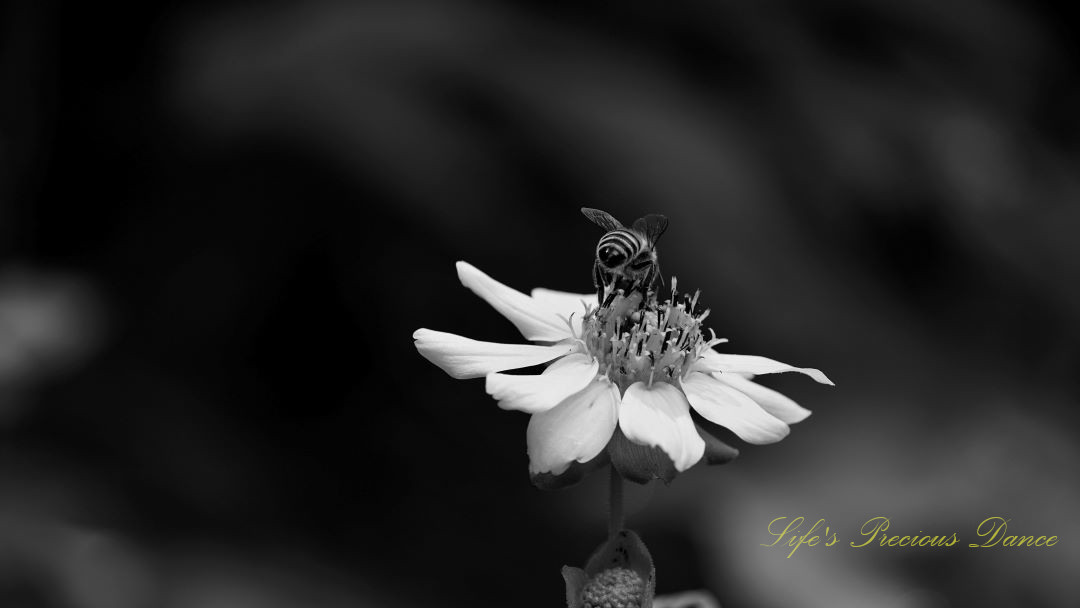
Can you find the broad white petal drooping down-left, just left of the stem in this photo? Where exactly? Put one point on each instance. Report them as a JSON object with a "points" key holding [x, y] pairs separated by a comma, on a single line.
{"points": [[577, 429]]}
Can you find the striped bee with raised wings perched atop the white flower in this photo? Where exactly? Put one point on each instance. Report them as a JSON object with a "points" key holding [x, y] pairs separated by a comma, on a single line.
{"points": [[626, 258]]}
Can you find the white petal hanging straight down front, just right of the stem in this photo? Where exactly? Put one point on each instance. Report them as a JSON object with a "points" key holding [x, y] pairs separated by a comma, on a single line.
{"points": [[659, 416]]}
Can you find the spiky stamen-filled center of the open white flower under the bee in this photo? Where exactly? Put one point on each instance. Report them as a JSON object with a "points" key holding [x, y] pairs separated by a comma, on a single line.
{"points": [[655, 342]]}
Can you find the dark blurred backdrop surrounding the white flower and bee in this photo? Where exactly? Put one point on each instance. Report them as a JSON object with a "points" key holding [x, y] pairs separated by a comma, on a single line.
{"points": [[221, 223]]}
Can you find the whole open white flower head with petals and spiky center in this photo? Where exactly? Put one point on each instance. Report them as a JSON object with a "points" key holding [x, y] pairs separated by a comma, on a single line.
{"points": [[631, 373]]}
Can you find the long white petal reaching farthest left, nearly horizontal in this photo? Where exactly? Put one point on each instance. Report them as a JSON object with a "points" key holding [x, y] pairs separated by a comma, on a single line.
{"points": [[463, 358]]}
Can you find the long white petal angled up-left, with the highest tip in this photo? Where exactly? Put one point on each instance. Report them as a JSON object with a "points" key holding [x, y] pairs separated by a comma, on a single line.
{"points": [[536, 320]]}
